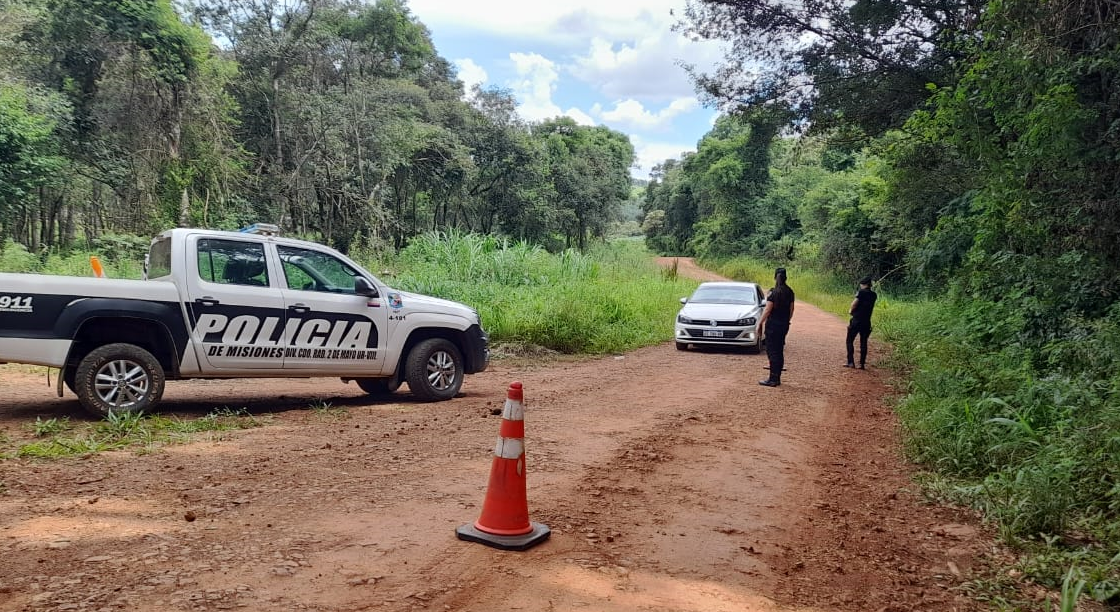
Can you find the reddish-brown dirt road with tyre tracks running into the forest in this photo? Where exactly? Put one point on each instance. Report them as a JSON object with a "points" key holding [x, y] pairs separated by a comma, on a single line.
{"points": [[671, 483]]}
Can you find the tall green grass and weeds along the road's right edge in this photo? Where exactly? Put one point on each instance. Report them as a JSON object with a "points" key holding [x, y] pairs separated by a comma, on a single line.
{"points": [[1028, 433]]}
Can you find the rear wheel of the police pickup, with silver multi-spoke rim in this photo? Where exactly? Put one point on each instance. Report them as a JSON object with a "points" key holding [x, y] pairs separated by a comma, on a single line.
{"points": [[120, 379]]}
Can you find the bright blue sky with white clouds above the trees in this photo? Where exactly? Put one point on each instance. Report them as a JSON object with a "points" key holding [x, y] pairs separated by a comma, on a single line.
{"points": [[613, 63]]}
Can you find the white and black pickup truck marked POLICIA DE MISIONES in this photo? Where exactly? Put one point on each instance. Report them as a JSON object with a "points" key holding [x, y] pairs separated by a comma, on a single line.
{"points": [[247, 304]]}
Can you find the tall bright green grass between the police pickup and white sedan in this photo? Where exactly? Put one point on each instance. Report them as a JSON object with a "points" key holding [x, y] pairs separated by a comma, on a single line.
{"points": [[613, 299]]}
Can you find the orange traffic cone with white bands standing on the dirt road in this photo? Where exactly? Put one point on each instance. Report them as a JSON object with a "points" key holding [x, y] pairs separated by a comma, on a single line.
{"points": [[505, 523]]}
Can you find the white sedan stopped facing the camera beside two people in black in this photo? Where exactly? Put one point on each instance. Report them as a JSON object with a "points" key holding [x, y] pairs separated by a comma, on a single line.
{"points": [[722, 313]]}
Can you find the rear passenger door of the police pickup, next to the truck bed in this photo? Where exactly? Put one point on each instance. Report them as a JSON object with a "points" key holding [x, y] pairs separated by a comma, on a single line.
{"points": [[237, 305]]}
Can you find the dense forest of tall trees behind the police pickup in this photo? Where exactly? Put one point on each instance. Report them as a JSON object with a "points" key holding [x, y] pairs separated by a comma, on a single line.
{"points": [[337, 119]]}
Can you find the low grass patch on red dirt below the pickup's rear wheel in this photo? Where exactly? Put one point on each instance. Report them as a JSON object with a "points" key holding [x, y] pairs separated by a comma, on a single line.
{"points": [[58, 439]]}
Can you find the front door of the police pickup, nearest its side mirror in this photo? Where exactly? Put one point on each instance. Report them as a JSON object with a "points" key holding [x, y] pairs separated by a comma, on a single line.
{"points": [[331, 328]]}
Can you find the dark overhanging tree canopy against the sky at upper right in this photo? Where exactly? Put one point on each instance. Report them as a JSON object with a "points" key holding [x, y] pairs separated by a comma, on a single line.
{"points": [[865, 63]]}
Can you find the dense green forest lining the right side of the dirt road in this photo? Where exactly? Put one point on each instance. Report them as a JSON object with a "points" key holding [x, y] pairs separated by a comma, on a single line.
{"points": [[911, 140]]}
